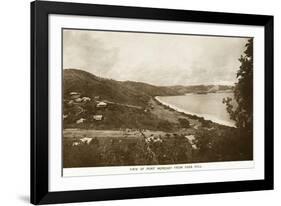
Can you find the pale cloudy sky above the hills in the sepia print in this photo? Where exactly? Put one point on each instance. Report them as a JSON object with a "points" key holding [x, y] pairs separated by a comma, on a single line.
{"points": [[158, 59]]}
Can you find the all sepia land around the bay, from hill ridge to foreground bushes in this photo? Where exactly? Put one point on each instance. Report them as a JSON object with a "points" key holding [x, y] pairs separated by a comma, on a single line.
{"points": [[137, 129]]}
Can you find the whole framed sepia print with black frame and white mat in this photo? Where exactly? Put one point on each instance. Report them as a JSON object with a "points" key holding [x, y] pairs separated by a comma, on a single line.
{"points": [[131, 102]]}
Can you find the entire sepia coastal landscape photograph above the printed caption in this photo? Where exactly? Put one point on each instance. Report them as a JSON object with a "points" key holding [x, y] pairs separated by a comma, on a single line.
{"points": [[140, 98]]}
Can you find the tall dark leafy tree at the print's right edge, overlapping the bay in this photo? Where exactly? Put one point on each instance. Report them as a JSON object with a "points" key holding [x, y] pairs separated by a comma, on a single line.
{"points": [[242, 114]]}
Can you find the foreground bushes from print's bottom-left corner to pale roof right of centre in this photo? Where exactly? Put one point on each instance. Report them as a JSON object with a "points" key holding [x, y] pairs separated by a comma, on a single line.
{"points": [[174, 149]]}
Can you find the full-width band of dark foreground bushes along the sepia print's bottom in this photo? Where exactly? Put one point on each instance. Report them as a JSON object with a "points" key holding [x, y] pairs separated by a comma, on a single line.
{"points": [[228, 144]]}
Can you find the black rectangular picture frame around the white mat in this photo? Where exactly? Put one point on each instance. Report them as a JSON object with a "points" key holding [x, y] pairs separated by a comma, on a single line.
{"points": [[40, 113]]}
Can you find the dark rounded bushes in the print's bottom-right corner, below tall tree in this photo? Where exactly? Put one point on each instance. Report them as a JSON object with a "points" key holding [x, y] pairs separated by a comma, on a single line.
{"points": [[227, 144]]}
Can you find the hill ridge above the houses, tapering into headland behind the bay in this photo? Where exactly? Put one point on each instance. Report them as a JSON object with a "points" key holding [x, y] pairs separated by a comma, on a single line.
{"points": [[129, 92]]}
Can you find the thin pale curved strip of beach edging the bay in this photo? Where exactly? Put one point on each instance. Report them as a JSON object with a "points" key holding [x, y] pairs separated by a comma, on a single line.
{"points": [[206, 117]]}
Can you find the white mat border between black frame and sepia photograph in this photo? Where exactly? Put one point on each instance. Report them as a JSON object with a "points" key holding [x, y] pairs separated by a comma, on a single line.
{"points": [[59, 183]]}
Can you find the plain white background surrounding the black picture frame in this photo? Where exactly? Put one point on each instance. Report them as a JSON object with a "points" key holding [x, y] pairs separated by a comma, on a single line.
{"points": [[14, 102]]}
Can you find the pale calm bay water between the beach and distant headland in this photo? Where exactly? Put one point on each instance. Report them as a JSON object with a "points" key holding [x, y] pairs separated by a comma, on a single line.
{"points": [[209, 106]]}
